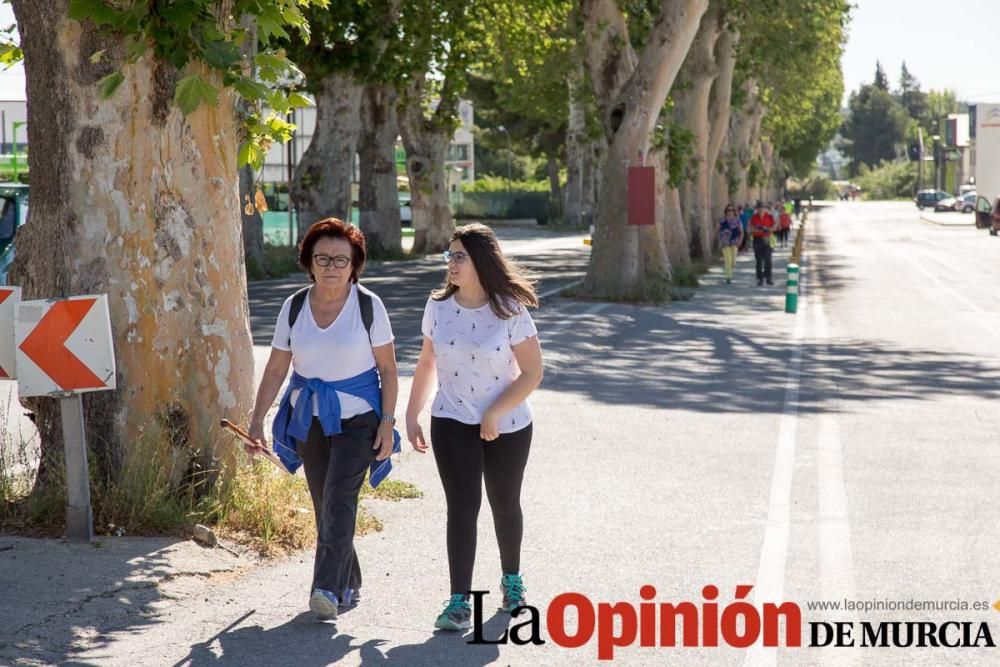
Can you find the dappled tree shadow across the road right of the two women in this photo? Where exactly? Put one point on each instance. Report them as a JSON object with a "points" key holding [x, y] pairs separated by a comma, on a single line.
{"points": [[683, 361]]}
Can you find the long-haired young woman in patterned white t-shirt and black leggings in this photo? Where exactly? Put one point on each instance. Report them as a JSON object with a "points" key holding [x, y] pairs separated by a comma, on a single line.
{"points": [[482, 347]]}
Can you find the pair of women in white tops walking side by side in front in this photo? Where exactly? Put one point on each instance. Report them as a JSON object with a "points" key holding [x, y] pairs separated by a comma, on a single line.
{"points": [[480, 358]]}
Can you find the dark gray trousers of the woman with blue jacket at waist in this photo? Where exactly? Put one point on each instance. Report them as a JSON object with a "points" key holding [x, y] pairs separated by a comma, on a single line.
{"points": [[335, 469]]}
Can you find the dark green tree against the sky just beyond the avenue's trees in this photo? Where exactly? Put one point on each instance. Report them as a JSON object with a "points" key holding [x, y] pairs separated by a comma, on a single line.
{"points": [[875, 127]]}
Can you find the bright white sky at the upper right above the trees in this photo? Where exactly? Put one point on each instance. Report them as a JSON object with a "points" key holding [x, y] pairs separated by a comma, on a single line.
{"points": [[945, 44]]}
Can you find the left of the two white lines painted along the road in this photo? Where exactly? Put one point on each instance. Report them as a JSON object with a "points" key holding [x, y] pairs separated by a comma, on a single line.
{"points": [[769, 586]]}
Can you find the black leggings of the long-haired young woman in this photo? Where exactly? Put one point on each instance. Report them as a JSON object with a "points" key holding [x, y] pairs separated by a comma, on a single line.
{"points": [[463, 460]]}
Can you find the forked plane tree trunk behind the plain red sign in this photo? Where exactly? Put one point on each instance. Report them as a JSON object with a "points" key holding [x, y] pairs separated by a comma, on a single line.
{"points": [[630, 90]]}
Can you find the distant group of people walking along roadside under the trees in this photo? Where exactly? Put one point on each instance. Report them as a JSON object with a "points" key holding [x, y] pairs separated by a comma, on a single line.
{"points": [[763, 227]]}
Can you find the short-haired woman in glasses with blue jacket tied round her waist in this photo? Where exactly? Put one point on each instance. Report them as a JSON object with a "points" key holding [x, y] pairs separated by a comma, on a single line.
{"points": [[336, 417]]}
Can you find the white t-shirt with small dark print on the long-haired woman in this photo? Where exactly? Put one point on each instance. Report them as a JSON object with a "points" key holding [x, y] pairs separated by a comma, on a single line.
{"points": [[474, 360]]}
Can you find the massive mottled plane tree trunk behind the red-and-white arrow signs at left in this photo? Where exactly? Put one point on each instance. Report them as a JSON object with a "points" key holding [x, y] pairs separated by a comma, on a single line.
{"points": [[134, 129]]}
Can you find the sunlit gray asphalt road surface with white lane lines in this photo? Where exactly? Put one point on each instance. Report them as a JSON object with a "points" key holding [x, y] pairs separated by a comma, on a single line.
{"points": [[847, 451]]}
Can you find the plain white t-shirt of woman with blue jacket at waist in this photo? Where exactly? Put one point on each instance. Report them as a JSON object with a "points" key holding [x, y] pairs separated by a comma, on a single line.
{"points": [[337, 352]]}
